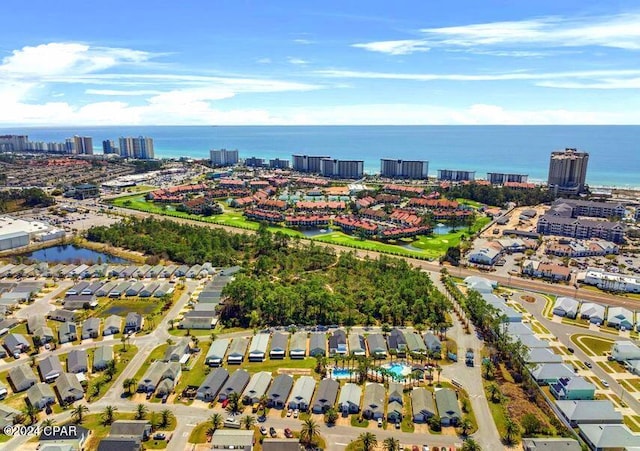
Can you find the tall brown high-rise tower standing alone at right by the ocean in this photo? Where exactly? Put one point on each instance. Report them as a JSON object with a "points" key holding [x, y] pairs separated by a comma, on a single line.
{"points": [[568, 171]]}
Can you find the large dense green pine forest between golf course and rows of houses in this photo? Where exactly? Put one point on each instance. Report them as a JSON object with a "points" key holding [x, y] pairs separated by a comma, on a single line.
{"points": [[288, 281]]}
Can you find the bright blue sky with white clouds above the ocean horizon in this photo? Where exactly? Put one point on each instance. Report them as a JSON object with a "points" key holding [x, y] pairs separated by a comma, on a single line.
{"points": [[241, 62]]}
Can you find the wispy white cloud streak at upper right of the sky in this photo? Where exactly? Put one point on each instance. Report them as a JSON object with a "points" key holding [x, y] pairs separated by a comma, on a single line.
{"points": [[517, 37]]}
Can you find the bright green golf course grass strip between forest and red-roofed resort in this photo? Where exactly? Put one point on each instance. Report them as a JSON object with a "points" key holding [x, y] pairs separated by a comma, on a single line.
{"points": [[430, 247]]}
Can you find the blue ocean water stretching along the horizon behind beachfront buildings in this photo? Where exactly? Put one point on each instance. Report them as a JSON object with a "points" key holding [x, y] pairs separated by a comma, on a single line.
{"points": [[614, 158]]}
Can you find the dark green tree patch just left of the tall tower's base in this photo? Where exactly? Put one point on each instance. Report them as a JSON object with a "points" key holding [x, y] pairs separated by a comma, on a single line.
{"points": [[499, 196]]}
